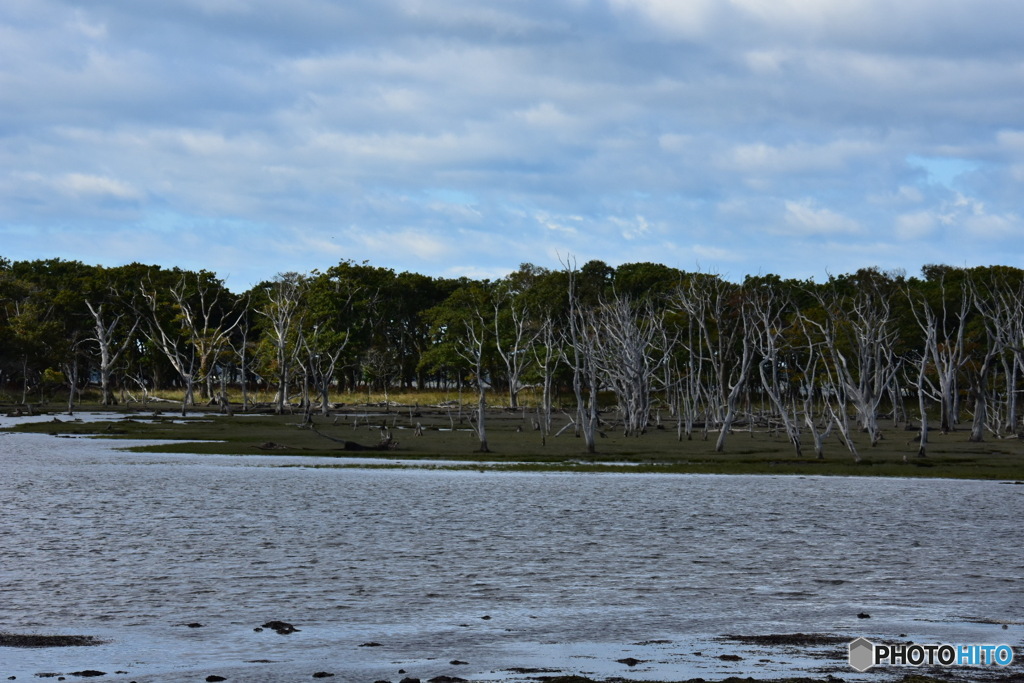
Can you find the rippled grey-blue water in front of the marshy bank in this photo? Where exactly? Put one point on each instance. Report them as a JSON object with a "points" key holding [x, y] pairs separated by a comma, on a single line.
{"points": [[575, 572]]}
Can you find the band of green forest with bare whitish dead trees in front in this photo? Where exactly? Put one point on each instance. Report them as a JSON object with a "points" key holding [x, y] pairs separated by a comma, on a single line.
{"points": [[610, 349]]}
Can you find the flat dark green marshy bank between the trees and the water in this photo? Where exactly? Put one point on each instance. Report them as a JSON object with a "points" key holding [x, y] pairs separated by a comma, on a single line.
{"points": [[446, 433]]}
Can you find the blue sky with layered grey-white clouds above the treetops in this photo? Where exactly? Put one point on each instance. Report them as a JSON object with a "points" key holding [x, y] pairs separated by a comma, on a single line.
{"points": [[250, 138]]}
